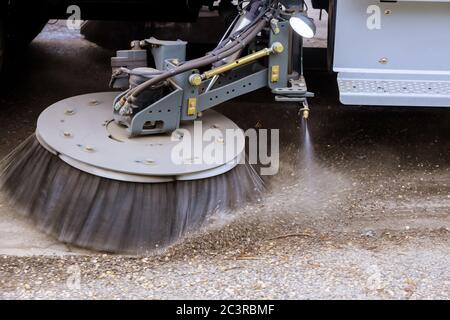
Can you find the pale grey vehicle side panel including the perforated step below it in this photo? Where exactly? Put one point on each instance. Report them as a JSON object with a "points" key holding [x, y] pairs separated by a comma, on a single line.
{"points": [[404, 61]]}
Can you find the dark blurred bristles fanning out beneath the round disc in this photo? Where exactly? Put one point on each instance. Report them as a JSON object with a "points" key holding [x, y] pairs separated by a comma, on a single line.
{"points": [[114, 216]]}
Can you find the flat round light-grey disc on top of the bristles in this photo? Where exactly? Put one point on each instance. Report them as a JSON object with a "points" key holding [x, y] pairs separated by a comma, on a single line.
{"points": [[81, 131]]}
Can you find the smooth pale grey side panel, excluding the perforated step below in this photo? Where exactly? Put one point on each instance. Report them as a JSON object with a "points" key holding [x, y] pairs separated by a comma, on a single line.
{"points": [[414, 37]]}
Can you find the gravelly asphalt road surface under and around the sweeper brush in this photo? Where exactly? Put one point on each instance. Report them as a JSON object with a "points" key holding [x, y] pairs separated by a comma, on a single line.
{"points": [[368, 216]]}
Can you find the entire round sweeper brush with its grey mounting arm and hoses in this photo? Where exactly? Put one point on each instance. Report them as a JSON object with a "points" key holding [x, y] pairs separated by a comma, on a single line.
{"points": [[135, 170]]}
